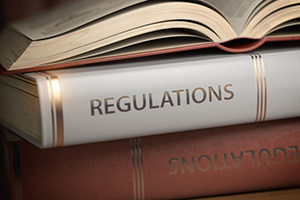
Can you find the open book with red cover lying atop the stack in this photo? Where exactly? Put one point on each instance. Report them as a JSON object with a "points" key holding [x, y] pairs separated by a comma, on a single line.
{"points": [[89, 31]]}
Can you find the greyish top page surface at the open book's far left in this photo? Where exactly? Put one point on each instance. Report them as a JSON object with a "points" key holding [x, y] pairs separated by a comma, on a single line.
{"points": [[69, 16]]}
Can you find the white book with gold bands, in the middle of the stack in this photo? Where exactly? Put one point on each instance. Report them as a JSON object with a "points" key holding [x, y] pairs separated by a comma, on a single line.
{"points": [[148, 97]]}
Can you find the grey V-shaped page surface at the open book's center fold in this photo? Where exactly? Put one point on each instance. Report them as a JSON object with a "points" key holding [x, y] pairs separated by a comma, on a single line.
{"points": [[236, 11]]}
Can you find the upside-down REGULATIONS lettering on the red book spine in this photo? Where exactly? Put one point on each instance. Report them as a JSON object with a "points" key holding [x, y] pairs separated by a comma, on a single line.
{"points": [[265, 157]]}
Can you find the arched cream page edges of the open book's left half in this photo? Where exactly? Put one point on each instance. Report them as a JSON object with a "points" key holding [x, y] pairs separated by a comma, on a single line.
{"points": [[141, 20]]}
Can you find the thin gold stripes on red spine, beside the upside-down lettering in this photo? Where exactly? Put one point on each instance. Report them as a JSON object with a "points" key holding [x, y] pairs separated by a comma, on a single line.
{"points": [[137, 168]]}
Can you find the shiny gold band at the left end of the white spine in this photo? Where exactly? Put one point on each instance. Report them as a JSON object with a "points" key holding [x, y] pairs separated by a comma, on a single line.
{"points": [[56, 108]]}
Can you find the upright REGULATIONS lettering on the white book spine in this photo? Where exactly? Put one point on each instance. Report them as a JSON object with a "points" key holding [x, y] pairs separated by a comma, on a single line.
{"points": [[132, 102]]}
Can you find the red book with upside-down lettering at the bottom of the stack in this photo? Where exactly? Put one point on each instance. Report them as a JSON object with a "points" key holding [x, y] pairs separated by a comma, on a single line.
{"points": [[207, 162]]}
